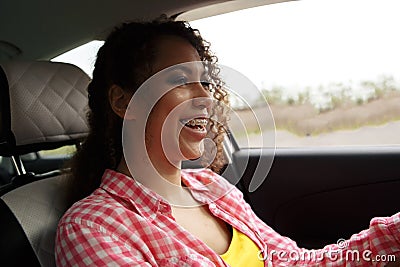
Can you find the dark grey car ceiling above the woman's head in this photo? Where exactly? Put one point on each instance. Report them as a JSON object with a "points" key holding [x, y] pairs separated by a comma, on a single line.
{"points": [[43, 29]]}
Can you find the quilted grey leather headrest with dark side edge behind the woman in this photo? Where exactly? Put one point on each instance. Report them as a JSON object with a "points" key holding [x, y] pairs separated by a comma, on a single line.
{"points": [[42, 106]]}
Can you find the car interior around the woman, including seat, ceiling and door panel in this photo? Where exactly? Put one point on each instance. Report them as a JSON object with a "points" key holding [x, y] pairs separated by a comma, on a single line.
{"points": [[315, 196]]}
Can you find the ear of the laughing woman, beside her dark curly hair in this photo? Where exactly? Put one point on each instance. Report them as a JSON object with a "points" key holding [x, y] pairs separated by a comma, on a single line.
{"points": [[119, 101]]}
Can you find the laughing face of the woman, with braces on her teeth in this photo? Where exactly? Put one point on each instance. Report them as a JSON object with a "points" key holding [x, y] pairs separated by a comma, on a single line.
{"points": [[176, 125]]}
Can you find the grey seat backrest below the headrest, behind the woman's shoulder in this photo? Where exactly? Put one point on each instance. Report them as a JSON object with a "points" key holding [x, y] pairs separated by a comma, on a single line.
{"points": [[38, 206]]}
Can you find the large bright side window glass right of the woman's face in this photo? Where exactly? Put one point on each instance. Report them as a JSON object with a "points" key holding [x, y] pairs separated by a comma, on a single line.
{"points": [[328, 69]]}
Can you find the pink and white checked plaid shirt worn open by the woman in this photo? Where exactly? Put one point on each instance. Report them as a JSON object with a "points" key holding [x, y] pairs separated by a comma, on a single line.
{"points": [[125, 224]]}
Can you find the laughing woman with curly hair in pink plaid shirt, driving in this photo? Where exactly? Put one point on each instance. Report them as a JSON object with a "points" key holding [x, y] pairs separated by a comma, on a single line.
{"points": [[139, 208]]}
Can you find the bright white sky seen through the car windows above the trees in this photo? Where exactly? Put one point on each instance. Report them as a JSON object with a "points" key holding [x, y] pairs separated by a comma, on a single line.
{"points": [[300, 43]]}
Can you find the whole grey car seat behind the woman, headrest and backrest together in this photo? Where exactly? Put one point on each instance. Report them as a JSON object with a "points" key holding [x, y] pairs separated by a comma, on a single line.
{"points": [[42, 106]]}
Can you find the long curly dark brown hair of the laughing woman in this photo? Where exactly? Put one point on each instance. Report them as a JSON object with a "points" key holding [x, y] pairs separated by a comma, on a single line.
{"points": [[125, 60]]}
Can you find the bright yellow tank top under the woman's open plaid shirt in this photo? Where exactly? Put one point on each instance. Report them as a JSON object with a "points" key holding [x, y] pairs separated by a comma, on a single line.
{"points": [[242, 251]]}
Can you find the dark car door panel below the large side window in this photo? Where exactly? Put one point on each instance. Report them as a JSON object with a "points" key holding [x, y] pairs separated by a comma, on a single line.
{"points": [[317, 196]]}
